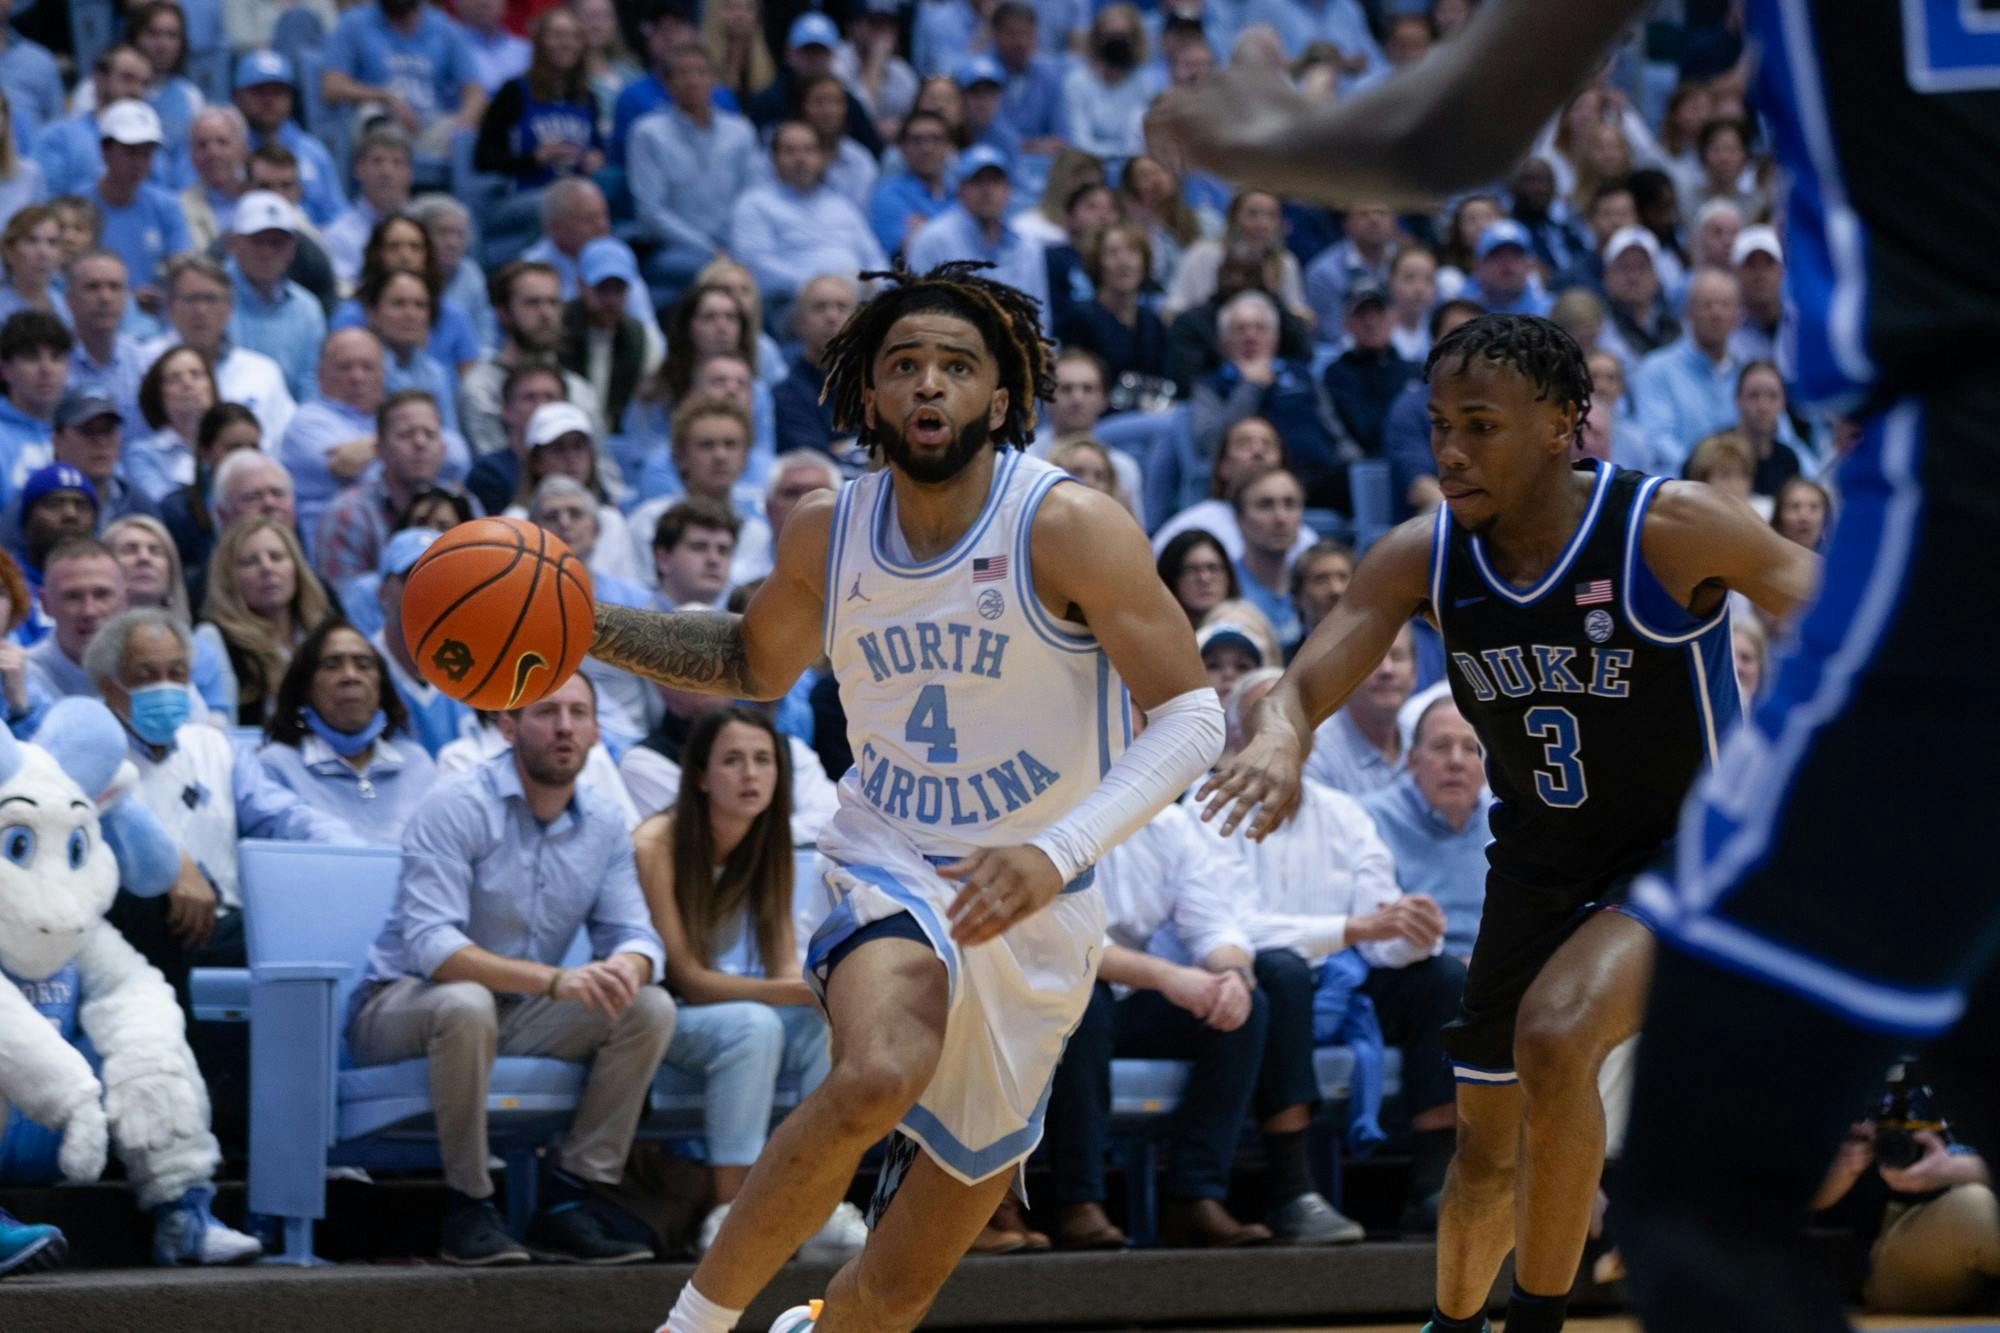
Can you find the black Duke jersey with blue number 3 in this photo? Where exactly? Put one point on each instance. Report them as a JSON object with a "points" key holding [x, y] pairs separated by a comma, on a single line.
{"points": [[1597, 696]]}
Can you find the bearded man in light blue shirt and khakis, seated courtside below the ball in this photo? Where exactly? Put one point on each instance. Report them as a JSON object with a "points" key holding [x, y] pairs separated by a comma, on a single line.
{"points": [[501, 872]]}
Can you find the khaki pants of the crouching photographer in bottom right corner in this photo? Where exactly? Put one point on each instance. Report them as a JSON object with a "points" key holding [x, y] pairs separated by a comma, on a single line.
{"points": [[1937, 1258]]}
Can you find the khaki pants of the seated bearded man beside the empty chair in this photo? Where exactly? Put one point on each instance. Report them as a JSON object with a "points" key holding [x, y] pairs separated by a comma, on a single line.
{"points": [[463, 1026]]}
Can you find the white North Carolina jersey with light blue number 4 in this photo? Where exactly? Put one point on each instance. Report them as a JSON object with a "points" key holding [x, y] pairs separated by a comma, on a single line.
{"points": [[977, 718]]}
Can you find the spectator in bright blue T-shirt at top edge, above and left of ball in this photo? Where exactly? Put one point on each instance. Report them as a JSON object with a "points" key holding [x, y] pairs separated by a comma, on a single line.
{"points": [[407, 63]]}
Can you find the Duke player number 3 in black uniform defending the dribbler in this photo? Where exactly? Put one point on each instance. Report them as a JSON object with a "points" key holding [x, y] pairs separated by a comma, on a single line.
{"points": [[1587, 637]]}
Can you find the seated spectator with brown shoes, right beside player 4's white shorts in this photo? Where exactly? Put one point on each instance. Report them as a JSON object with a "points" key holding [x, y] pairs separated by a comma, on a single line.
{"points": [[1175, 984]]}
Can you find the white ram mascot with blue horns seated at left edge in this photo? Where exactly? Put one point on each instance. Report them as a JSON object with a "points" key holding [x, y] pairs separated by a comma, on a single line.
{"points": [[75, 990]]}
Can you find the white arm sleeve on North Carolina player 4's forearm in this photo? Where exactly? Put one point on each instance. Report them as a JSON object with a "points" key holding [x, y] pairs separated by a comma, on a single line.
{"points": [[1181, 742]]}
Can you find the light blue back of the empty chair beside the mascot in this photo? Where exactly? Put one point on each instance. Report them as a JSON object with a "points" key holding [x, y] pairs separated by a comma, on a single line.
{"points": [[315, 904]]}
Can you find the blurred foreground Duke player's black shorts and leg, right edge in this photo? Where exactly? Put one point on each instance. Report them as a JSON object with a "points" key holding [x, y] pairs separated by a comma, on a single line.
{"points": [[1835, 886]]}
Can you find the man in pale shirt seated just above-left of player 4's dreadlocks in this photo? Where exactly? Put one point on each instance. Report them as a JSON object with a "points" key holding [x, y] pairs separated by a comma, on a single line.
{"points": [[799, 227]]}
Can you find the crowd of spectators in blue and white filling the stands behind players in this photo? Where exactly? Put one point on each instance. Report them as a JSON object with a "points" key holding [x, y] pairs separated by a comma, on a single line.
{"points": [[293, 289]]}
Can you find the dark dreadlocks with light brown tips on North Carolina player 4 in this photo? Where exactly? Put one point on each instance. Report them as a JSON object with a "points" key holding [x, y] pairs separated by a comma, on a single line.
{"points": [[1009, 321]]}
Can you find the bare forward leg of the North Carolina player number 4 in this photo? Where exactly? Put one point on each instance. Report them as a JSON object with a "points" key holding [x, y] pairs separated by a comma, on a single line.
{"points": [[887, 1004]]}
